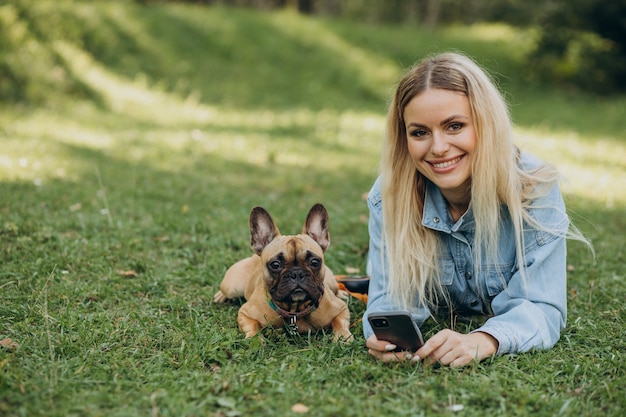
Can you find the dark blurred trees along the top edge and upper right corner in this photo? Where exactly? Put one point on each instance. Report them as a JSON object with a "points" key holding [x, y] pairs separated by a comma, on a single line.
{"points": [[580, 44]]}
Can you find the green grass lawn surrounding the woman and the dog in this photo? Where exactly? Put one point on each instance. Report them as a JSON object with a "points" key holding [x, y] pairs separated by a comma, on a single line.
{"points": [[126, 193]]}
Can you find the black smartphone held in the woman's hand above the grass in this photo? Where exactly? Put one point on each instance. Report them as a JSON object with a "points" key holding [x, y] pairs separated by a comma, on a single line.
{"points": [[398, 328]]}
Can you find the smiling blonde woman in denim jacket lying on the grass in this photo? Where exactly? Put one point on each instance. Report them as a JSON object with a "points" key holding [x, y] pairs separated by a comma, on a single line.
{"points": [[461, 220]]}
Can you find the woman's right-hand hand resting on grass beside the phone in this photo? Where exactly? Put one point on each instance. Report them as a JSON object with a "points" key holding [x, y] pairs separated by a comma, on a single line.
{"points": [[457, 349]]}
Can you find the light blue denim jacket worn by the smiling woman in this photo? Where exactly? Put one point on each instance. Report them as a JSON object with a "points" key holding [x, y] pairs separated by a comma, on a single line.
{"points": [[523, 315]]}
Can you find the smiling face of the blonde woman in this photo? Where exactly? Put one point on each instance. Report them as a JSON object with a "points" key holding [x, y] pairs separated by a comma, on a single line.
{"points": [[441, 140]]}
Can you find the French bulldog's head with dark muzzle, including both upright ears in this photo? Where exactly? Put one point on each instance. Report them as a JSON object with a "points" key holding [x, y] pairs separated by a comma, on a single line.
{"points": [[294, 265]]}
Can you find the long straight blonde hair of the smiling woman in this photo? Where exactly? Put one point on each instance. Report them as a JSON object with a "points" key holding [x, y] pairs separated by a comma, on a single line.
{"points": [[412, 249]]}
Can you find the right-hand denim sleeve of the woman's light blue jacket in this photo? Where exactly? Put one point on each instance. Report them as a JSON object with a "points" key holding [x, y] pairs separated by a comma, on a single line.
{"points": [[531, 311]]}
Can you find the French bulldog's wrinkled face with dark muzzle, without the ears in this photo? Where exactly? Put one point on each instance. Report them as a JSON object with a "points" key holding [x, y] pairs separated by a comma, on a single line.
{"points": [[294, 271]]}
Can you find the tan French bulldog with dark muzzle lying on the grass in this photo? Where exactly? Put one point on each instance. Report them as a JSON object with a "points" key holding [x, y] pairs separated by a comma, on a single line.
{"points": [[285, 282]]}
